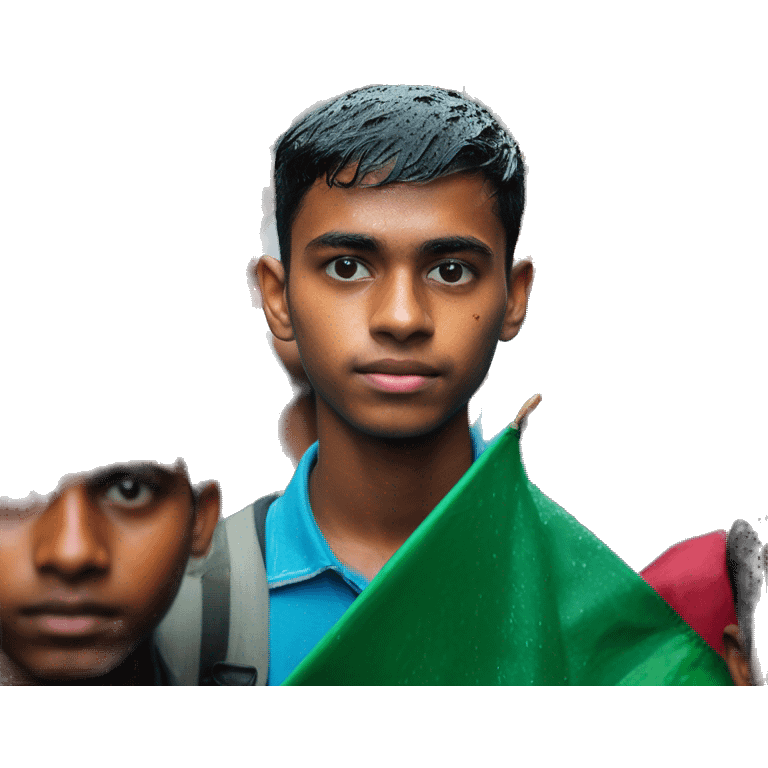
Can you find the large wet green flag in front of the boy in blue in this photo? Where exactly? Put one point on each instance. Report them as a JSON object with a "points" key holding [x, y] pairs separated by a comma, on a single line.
{"points": [[501, 586]]}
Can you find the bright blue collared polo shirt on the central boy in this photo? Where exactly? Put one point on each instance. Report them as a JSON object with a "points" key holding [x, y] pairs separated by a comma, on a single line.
{"points": [[309, 588]]}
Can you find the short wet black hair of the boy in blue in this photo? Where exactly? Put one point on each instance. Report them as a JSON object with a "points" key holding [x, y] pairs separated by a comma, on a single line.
{"points": [[429, 132]]}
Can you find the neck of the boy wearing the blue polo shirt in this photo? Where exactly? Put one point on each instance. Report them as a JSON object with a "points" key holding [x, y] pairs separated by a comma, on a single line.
{"points": [[369, 493]]}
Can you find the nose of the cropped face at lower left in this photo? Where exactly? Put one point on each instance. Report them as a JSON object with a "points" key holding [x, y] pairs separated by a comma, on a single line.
{"points": [[70, 533]]}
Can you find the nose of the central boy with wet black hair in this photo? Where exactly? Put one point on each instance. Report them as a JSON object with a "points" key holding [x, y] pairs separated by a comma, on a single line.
{"points": [[400, 307]]}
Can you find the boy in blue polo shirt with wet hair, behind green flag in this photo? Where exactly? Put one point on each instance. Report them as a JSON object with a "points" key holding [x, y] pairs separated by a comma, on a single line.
{"points": [[398, 211]]}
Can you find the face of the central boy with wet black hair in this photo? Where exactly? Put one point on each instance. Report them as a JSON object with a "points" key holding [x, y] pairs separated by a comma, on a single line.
{"points": [[396, 301]]}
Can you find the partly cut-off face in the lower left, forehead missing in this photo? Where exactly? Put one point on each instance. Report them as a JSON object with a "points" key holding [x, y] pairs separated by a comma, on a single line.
{"points": [[120, 537]]}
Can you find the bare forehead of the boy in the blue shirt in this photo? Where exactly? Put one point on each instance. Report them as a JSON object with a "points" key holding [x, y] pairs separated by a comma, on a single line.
{"points": [[461, 203]]}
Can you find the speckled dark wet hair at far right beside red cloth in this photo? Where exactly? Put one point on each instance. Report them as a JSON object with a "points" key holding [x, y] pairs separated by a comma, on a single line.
{"points": [[744, 574]]}
